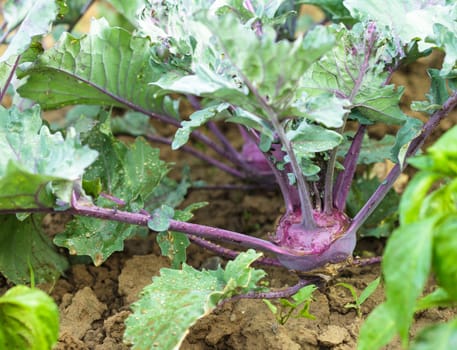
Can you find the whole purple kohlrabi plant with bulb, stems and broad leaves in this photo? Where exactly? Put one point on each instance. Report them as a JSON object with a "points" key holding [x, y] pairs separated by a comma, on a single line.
{"points": [[302, 95]]}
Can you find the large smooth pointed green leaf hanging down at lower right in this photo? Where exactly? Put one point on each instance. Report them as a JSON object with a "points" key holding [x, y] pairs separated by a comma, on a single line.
{"points": [[406, 264]]}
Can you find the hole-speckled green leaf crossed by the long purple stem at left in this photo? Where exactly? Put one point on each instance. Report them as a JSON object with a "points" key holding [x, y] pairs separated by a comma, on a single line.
{"points": [[130, 173]]}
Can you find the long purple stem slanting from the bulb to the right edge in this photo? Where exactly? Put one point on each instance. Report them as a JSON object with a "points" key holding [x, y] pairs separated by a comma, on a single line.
{"points": [[395, 172]]}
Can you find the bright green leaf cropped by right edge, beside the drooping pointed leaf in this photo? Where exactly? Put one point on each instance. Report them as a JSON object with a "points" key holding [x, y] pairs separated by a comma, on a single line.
{"points": [[445, 254]]}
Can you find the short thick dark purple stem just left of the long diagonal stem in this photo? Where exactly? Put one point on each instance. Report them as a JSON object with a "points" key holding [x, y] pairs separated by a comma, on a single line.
{"points": [[344, 179]]}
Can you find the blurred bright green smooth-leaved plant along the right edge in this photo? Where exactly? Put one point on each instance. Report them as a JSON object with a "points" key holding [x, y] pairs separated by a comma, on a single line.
{"points": [[425, 243]]}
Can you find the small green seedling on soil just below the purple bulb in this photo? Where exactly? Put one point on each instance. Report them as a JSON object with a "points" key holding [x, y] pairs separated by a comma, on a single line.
{"points": [[299, 303]]}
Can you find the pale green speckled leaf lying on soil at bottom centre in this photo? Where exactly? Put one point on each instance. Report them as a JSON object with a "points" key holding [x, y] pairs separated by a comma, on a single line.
{"points": [[178, 298]]}
